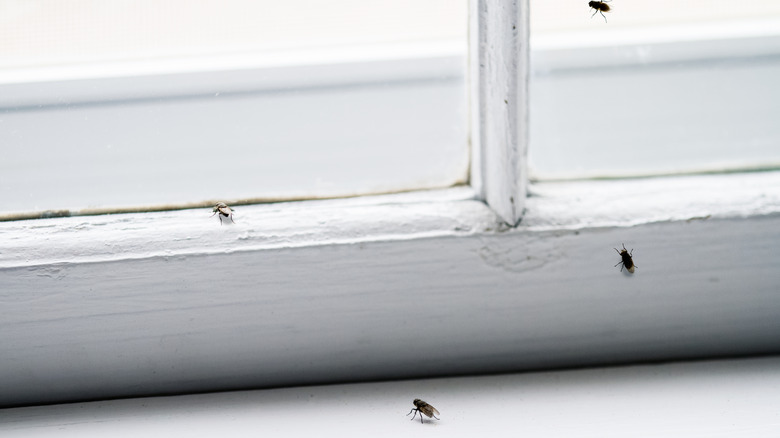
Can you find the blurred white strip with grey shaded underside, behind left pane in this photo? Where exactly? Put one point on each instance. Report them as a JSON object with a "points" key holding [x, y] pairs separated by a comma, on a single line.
{"points": [[122, 83]]}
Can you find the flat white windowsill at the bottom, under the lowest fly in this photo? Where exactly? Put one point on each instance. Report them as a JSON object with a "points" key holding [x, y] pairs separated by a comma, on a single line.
{"points": [[725, 398]]}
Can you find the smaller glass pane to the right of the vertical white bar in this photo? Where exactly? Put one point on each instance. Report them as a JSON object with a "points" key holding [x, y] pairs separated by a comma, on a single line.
{"points": [[654, 87]]}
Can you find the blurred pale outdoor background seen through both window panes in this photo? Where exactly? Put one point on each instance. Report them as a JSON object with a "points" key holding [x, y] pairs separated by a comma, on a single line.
{"points": [[111, 104]]}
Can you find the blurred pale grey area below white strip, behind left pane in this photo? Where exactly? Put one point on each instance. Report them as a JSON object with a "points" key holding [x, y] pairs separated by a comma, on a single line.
{"points": [[273, 132]]}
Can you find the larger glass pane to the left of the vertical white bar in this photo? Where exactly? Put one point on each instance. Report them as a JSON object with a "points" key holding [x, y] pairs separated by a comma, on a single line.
{"points": [[155, 102]]}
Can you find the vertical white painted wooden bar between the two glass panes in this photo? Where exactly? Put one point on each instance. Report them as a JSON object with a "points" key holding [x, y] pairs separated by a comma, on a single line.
{"points": [[499, 109]]}
